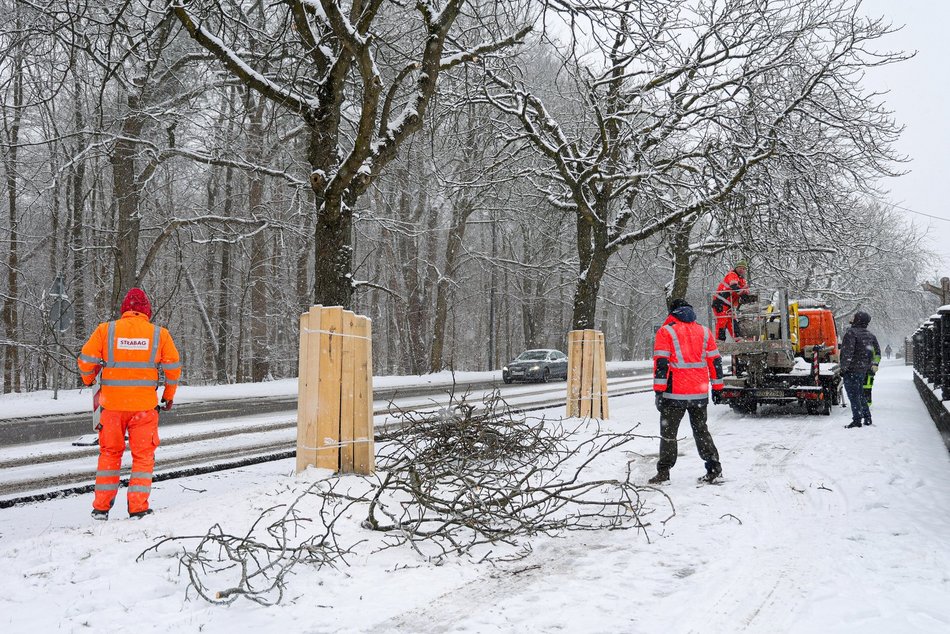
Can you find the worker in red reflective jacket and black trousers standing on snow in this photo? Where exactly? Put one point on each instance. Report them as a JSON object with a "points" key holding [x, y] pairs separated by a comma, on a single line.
{"points": [[685, 363]]}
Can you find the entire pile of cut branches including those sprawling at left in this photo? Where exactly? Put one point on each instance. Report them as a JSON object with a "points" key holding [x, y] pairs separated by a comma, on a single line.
{"points": [[472, 479]]}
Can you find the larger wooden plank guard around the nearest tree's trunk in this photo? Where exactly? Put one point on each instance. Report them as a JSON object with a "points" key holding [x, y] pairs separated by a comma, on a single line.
{"points": [[335, 391]]}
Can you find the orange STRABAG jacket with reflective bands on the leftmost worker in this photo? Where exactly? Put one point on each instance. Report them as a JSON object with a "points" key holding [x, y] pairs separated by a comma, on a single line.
{"points": [[130, 352]]}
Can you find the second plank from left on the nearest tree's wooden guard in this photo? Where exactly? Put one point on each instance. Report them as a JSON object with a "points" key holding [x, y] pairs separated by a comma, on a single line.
{"points": [[328, 388]]}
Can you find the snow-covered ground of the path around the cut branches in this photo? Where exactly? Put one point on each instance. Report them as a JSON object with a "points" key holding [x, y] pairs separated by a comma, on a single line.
{"points": [[816, 529]]}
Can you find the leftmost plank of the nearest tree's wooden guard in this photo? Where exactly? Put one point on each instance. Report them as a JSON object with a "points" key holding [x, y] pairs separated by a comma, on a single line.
{"points": [[307, 397]]}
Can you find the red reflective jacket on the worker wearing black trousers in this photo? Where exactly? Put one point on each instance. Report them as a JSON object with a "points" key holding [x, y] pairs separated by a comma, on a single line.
{"points": [[686, 361]]}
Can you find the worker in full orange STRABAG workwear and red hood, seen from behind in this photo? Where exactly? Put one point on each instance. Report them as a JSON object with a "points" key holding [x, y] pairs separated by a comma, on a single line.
{"points": [[128, 355]]}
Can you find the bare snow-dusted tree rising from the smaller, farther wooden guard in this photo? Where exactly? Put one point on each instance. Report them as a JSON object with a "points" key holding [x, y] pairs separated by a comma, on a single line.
{"points": [[676, 103]]}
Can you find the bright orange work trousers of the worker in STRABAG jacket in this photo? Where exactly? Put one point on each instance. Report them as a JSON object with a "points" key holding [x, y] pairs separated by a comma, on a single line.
{"points": [[142, 429]]}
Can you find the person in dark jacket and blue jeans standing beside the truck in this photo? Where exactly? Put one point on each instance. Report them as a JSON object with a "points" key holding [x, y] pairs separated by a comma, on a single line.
{"points": [[860, 353]]}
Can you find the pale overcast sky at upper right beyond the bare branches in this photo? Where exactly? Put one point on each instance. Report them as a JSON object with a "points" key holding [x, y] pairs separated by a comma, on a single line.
{"points": [[920, 98]]}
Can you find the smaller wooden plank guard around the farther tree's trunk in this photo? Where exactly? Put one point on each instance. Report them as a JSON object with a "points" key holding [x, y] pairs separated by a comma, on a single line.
{"points": [[586, 374]]}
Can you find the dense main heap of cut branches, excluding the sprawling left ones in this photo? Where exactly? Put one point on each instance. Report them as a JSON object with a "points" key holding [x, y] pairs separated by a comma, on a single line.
{"points": [[475, 475]]}
